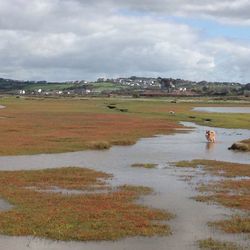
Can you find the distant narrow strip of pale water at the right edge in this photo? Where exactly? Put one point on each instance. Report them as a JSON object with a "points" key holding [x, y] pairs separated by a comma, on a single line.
{"points": [[245, 110]]}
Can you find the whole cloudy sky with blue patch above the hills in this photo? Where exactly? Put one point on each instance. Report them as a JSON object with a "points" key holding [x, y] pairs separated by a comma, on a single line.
{"points": [[58, 40]]}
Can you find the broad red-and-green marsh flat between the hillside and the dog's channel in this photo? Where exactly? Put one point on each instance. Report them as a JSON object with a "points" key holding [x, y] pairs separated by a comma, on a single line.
{"points": [[51, 125]]}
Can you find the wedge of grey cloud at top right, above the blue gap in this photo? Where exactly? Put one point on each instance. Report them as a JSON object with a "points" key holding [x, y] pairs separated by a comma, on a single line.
{"points": [[231, 11]]}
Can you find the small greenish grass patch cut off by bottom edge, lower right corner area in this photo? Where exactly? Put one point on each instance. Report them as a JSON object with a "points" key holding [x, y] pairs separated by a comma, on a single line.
{"points": [[211, 244]]}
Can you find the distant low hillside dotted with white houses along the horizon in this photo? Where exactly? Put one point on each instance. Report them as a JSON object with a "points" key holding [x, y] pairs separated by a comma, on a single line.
{"points": [[134, 86]]}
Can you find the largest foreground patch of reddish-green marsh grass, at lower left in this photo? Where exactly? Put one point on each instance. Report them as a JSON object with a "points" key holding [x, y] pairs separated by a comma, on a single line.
{"points": [[95, 216]]}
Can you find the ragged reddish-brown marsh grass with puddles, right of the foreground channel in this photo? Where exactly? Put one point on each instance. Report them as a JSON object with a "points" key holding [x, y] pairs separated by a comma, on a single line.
{"points": [[230, 192]]}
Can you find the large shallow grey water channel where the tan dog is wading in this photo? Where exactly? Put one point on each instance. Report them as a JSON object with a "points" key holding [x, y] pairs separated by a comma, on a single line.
{"points": [[171, 193]]}
